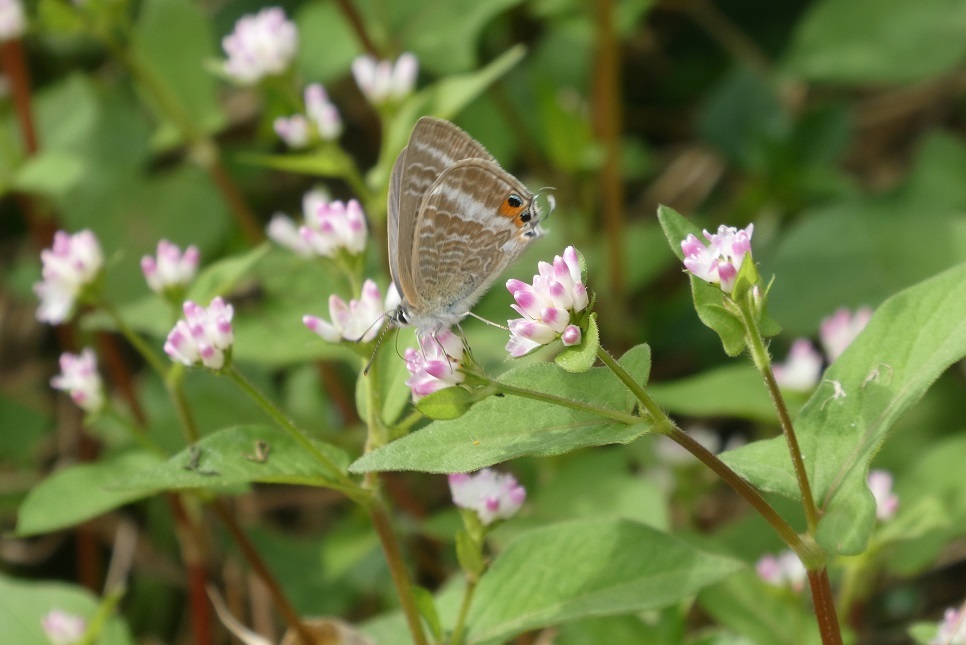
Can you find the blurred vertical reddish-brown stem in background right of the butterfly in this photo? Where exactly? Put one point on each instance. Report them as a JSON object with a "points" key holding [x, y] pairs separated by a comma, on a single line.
{"points": [[607, 126]]}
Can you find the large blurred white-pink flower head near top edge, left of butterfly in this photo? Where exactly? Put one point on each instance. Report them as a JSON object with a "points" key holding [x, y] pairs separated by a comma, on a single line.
{"points": [[262, 44]]}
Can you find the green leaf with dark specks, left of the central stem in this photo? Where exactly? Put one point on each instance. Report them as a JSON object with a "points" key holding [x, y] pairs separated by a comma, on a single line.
{"points": [[227, 458]]}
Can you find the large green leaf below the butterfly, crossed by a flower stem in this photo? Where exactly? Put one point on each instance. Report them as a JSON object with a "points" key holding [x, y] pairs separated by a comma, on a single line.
{"points": [[503, 428]]}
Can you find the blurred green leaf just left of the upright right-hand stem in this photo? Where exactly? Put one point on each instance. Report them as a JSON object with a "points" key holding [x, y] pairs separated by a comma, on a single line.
{"points": [[730, 391]]}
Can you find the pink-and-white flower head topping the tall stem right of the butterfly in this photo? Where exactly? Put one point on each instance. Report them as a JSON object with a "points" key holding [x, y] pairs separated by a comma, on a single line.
{"points": [[719, 261]]}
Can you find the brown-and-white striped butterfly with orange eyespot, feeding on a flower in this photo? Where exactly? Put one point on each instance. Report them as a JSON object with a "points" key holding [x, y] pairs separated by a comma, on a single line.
{"points": [[456, 221]]}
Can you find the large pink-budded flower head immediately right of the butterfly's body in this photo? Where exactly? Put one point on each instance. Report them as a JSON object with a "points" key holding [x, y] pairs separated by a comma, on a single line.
{"points": [[546, 305]]}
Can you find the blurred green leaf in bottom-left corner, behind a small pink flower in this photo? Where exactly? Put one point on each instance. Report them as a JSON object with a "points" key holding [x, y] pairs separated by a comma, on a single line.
{"points": [[23, 606]]}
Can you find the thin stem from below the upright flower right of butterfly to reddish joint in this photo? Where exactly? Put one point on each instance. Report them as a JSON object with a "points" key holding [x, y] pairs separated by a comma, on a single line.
{"points": [[759, 354]]}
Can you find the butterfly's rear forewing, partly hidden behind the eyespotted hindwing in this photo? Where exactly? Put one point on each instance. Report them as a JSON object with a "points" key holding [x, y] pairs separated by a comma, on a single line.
{"points": [[434, 146]]}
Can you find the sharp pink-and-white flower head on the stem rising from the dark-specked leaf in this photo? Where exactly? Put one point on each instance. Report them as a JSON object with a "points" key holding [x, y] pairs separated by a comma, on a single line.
{"points": [[204, 336]]}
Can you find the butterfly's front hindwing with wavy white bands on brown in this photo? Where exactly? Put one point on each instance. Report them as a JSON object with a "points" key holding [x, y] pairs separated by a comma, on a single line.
{"points": [[463, 240]]}
